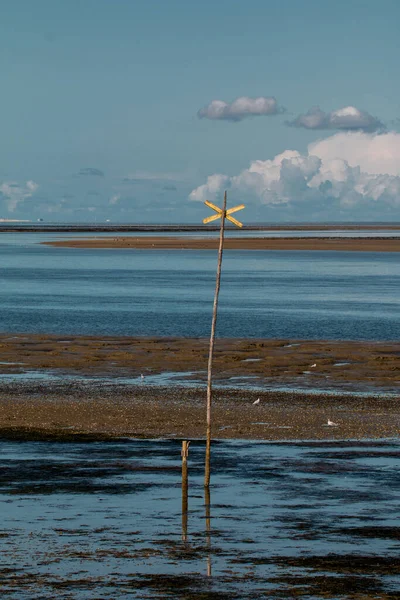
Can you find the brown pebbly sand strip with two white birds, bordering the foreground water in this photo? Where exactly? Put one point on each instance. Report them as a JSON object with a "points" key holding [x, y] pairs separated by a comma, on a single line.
{"points": [[71, 409]]}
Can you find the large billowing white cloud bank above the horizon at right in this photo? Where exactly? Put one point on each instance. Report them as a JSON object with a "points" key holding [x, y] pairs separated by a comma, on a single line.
{"points": [[342, 172]]}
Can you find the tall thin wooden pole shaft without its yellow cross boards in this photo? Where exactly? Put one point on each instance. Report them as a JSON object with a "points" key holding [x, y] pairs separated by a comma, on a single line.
{"points": [[211, 349]]}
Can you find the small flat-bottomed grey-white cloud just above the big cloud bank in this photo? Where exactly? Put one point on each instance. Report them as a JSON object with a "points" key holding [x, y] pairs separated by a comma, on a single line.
{"points": [[348, 118]]}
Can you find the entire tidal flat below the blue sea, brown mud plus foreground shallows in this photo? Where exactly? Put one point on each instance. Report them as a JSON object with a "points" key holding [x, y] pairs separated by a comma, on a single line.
{"points": [[91, 490]]}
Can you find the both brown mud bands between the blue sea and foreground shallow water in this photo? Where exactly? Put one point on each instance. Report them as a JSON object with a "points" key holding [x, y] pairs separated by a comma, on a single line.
{"points": [[105, 407]]}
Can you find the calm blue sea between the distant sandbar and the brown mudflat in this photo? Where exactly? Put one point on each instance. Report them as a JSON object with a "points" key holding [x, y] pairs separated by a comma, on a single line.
{"points": [[312, 295]]}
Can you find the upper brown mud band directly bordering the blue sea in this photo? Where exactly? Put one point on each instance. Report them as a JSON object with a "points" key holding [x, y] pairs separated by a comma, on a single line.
{"points": [[319, 364]]}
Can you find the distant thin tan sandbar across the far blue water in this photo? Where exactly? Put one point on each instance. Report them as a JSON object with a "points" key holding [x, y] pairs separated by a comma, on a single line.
{"points": [[372, 244]]}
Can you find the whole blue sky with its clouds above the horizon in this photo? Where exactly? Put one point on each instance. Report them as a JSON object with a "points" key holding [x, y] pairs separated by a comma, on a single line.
{"points": [[139, 110]]}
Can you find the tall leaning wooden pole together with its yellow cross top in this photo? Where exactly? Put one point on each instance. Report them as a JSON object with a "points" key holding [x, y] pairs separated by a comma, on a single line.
{"points": [[221, 214]]}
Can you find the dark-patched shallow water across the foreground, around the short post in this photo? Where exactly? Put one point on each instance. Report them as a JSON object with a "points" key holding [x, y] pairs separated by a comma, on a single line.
{"points": [[104, 519]]}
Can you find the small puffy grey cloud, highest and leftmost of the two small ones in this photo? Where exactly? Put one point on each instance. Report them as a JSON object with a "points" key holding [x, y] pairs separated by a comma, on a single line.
{"points": [[240, 108]]}
